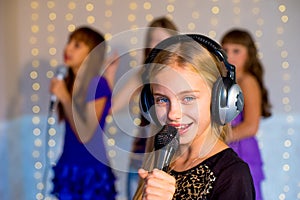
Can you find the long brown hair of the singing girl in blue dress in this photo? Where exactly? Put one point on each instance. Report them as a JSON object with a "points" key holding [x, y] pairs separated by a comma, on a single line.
{"points": [[92, 39]]}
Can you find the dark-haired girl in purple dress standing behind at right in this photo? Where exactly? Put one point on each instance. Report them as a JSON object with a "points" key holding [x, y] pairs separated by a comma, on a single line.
{"points": [[242, 53]]}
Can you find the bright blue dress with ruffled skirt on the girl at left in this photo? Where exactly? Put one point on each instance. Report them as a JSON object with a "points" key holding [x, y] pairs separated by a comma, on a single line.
{"points": [[83, 170]]}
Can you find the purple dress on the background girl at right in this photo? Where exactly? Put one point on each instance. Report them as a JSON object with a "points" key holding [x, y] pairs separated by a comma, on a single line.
{"points": [[248, 150]]}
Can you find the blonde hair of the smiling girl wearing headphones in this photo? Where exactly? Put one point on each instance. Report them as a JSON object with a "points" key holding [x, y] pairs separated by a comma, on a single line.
{"points": [[192, 56]]}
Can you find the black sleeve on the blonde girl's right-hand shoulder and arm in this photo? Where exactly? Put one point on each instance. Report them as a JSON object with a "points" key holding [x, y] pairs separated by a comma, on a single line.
{"points": [[235, 183]]}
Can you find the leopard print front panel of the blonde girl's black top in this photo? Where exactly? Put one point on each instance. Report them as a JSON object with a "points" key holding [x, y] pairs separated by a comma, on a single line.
{"points": [[195, 183]]}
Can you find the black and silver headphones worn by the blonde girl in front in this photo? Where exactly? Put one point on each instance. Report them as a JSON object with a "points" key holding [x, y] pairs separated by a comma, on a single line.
{"points": [[227, 97]]}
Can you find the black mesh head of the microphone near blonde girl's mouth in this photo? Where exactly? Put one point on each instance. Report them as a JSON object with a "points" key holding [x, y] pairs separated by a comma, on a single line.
{"points": [[168, 135]]}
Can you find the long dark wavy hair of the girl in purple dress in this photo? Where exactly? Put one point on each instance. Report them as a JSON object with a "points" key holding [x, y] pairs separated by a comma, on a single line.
{"points": [[253, 65]]}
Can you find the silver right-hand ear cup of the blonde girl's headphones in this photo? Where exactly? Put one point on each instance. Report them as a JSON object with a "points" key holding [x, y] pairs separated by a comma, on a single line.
{"points": [[227, 101]]}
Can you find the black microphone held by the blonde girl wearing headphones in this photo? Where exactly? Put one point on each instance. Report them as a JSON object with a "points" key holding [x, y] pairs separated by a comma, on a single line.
{"points": [[166, 143]]}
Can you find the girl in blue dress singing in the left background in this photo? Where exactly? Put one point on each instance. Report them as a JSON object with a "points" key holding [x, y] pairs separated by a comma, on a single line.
{"points": [[83, 170]]}
